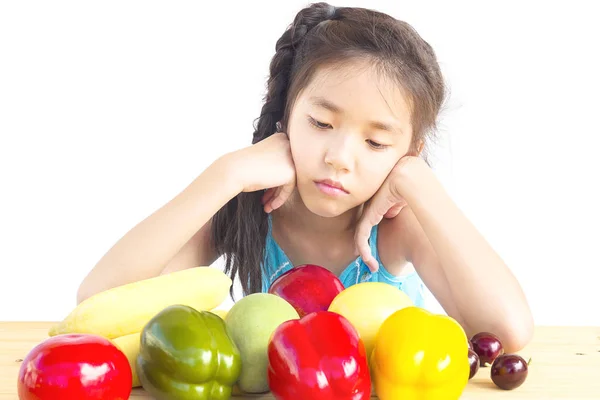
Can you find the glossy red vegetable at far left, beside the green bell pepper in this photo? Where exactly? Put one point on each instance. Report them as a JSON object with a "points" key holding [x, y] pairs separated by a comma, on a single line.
{"points": [[75, 366]]}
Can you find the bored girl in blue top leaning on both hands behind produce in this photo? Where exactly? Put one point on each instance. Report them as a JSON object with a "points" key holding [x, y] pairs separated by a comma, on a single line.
{"points": [[336, 176]]}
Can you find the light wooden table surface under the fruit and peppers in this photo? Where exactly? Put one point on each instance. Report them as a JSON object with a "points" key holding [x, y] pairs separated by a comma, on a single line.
{"points": [[565, 364]]}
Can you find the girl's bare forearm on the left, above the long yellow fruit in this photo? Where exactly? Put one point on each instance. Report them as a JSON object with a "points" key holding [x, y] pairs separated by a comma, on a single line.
{"points": [[145, 250]]}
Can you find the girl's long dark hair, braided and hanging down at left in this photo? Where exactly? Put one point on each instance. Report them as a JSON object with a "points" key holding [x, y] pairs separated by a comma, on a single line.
{"points": [[322, 34]]}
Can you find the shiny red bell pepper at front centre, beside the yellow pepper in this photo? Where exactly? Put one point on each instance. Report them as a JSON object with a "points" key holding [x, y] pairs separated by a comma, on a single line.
{"points": [[319, 356]]}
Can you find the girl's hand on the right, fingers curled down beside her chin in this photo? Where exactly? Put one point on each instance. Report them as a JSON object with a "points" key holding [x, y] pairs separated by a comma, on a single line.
{"points": [[387, 202]]}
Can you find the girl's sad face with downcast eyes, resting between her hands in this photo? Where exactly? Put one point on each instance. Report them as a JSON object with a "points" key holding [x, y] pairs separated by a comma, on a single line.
{"points": [[348, 128]]}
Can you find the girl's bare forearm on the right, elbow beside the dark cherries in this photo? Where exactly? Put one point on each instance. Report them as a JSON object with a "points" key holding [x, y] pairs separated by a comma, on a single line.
{"points": [[483, 289]]}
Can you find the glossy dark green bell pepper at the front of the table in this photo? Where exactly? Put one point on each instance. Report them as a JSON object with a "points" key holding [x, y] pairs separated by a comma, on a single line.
{"points": [[187, 354]]}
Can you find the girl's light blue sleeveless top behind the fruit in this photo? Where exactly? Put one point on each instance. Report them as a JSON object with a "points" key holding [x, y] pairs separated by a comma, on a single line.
{"points": [[276, 263]]}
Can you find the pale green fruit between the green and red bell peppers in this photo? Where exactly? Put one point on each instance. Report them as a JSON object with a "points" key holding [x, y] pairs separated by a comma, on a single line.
{"points": [[251, 321]]}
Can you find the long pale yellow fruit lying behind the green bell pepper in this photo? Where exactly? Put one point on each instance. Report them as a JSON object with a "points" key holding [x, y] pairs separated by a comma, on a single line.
{"points": [[125, 309]]}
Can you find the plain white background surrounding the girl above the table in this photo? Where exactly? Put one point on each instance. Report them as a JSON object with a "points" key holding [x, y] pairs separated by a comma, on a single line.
{"points": [[108, 109]]}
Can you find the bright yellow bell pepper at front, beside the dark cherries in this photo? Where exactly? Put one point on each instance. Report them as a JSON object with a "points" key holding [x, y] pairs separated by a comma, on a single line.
{"points": [[420, 355]]}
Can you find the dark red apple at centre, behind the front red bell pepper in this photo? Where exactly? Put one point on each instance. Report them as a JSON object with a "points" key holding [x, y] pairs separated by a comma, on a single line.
{"points": [[308, 288]]}
